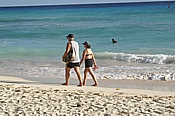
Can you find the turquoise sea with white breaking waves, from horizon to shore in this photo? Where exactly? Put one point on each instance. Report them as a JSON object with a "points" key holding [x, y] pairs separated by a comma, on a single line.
{"points": [[33, 39]]}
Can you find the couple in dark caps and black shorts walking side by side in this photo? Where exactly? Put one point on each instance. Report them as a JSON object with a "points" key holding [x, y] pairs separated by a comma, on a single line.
{"points": [[88, 56]]}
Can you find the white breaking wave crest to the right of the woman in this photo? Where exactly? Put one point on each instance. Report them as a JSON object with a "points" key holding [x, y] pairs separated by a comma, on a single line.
{"points": [[140, 58]]}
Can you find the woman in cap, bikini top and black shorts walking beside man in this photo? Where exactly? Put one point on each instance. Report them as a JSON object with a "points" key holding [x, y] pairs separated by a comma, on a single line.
{"points": [[88, 56]]}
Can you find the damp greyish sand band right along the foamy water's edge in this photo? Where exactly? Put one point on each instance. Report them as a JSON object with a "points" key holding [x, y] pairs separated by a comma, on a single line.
{"points": [[107, 83]]}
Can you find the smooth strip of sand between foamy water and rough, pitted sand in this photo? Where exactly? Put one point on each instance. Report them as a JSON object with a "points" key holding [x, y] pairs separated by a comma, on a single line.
{"points": [[163, 88]]}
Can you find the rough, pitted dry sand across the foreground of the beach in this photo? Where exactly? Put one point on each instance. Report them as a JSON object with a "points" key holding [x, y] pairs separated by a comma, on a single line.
{"points": [[20, 100]]}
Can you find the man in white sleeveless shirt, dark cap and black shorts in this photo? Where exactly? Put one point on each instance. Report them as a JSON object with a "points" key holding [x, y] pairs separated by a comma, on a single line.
{"points": [[72, 45]]}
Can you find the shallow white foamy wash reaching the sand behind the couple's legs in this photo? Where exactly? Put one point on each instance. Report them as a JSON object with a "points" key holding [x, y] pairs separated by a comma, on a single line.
{"points": [[109, 69]]}
